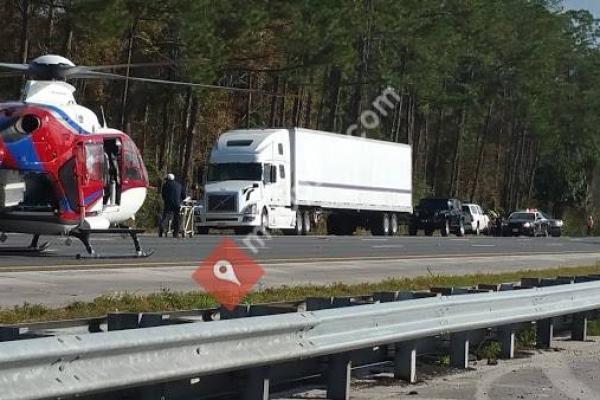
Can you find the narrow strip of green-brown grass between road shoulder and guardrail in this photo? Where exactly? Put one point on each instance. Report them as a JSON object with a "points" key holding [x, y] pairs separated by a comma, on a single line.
{"points": [[168, 301]]}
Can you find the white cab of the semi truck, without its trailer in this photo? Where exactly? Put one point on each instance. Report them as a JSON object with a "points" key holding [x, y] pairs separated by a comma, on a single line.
{"points": [[248, 182]]}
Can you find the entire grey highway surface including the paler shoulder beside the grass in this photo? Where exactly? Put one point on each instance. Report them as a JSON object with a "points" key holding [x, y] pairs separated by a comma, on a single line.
{"points": [[57, 278]]}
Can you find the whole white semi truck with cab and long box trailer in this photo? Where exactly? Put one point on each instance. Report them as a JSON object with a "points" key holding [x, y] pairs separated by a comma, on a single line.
{"points": [[290, 179]]}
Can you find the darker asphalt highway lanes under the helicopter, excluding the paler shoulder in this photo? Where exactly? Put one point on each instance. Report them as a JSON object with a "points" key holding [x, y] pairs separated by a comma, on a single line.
{"points": [[282, 249]]}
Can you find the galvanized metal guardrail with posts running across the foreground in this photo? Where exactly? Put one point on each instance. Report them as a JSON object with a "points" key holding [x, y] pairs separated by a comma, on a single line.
{"points": [[174, 361]]}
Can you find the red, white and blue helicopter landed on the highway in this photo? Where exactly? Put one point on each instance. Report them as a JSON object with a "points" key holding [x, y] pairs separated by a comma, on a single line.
{"points": [[62, 172]]}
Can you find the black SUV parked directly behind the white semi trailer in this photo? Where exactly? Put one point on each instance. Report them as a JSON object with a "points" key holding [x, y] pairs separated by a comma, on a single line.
{"points": [[443, 214]]}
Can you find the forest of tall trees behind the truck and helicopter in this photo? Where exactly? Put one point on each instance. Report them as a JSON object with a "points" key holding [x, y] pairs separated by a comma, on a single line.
{"points": [[500, 100]]}
